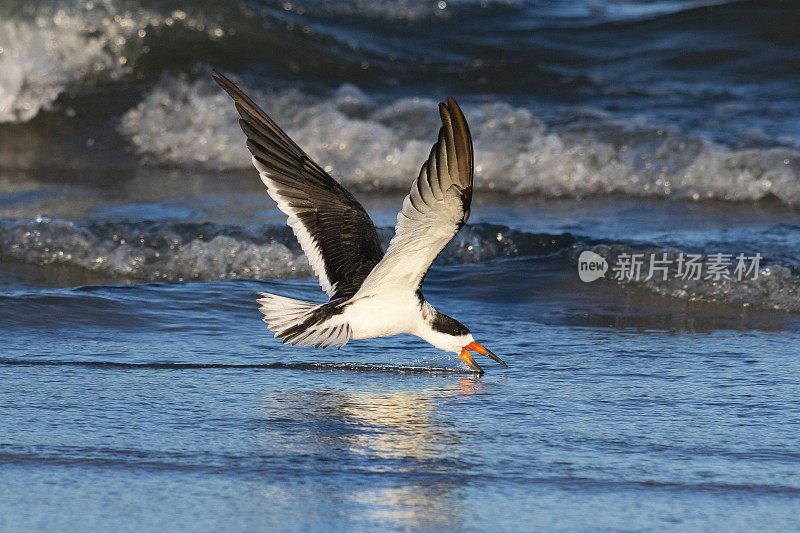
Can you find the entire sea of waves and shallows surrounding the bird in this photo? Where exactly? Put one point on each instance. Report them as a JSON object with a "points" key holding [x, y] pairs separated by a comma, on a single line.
{"points": [[139, 389]]}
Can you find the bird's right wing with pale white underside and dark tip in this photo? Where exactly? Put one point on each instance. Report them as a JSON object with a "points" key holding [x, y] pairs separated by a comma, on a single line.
{"points": [[435, 209]]}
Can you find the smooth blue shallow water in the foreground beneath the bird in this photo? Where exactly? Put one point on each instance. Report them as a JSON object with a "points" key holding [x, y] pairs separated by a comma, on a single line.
{"points": [[168, 405]]}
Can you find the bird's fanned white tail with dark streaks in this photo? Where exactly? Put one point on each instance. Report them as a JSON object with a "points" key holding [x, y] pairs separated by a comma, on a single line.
{"points": [[304, 323]]}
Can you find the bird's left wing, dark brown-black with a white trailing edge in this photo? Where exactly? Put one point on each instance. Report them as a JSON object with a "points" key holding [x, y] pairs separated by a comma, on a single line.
{"points": [[336, 234]]}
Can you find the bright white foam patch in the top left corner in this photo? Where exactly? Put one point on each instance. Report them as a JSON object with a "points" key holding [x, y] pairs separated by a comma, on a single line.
{"points": [[56, 47]]}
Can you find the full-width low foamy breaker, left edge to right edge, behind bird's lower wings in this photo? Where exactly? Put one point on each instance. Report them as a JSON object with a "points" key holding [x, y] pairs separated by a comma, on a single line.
{"points": [[179, 251]]}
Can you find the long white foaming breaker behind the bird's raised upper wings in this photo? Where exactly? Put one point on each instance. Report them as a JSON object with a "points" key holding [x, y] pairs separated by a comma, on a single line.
{"points": [[370, 144]]}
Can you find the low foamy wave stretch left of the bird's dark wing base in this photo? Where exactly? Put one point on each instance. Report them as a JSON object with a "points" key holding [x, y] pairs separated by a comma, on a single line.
{"points": [[150, 251]]}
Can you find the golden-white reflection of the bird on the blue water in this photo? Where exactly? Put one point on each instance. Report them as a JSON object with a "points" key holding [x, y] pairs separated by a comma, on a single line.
{"points": [[367, 428]]}
